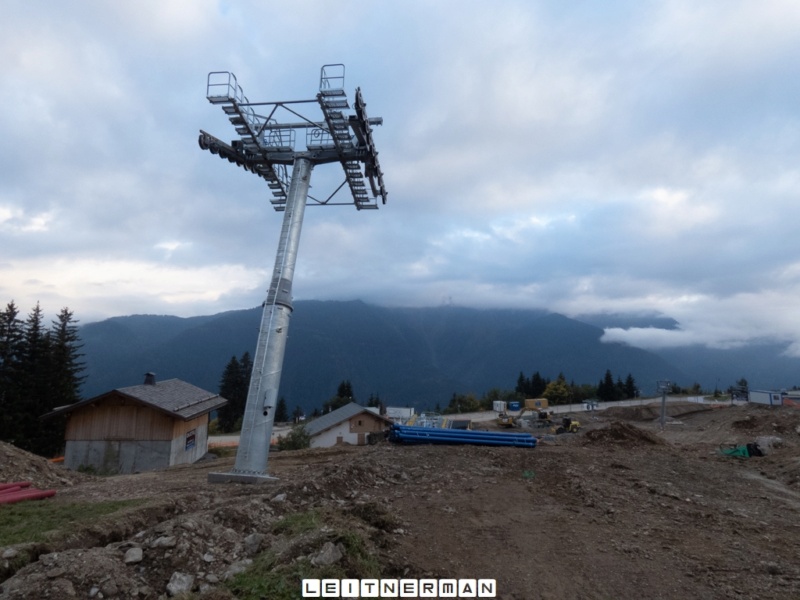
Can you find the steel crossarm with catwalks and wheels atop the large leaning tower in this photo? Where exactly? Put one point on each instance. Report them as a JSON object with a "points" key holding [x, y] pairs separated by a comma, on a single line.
{"points": [[268, 147]]}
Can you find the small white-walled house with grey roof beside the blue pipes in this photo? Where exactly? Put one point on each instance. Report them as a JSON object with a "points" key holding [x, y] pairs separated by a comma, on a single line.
{"points": [[350, 424]]}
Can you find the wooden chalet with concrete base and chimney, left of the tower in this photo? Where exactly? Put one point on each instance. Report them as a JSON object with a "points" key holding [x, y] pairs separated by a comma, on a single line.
{"points": [[139, 428]]}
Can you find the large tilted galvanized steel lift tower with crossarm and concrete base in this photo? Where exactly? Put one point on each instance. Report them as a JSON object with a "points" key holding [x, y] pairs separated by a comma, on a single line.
{"points": [[267, 148]]}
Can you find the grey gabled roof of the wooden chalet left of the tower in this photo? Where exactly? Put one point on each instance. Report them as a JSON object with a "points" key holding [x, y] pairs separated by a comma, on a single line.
{"points": [[179, 399]]}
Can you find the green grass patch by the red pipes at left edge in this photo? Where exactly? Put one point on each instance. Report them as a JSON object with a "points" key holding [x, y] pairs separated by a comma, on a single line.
{"points": [[32, 521]]}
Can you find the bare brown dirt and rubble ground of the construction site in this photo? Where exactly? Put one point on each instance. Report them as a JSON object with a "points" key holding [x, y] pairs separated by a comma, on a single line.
{"points": [[619, 510]]}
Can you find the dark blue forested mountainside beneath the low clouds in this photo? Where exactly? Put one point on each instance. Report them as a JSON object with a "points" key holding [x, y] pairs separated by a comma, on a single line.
{"points": [[406, 356]]}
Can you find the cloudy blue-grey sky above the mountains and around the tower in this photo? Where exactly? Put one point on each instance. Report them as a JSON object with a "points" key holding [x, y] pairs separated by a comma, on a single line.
{"points": [[625, 156]]}
